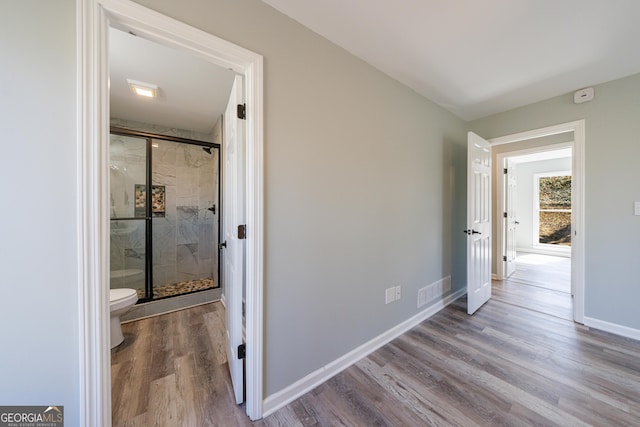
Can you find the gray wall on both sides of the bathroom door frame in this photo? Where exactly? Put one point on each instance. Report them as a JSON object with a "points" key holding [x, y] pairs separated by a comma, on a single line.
{"points": [[362, 180]]}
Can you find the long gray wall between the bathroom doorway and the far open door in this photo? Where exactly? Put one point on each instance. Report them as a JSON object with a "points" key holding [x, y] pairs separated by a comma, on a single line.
{"points": [[358, 192]]}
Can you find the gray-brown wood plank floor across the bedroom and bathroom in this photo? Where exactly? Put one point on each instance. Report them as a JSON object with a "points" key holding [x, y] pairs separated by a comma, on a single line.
{"points": [[505, 365]]}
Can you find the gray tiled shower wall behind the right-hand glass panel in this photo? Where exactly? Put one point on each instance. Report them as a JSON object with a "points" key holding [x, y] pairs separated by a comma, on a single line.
{"points": [[185, 239]]}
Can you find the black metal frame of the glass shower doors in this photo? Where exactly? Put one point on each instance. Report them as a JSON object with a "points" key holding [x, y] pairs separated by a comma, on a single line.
{"points": [[149, 137]]}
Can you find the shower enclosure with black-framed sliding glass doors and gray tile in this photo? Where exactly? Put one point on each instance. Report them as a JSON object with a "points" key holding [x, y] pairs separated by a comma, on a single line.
{"points": [[165, 210]]}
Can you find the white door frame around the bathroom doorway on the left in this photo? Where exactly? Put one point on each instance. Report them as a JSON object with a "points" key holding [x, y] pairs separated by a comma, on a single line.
{"points": [[93, 18]]}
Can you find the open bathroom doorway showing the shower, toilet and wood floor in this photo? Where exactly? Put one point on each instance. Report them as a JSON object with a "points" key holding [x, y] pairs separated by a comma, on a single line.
{"points": [[169, 114]]}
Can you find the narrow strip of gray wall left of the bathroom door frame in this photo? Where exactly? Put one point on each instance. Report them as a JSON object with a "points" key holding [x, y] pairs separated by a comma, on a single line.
{"points": [[38, 269]]}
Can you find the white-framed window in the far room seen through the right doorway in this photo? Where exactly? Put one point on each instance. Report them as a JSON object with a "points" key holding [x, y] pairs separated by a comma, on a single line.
{"points": [[553, 209]]}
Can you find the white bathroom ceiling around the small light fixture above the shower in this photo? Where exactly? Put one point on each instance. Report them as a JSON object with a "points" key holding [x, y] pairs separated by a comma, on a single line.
{"points": [[193, 93]]}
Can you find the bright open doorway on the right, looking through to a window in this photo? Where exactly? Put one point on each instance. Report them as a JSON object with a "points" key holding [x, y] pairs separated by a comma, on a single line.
{"points": [[536, 228]]}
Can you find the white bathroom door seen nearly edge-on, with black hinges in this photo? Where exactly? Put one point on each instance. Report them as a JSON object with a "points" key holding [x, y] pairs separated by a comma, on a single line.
{"points": [[233, 216]]}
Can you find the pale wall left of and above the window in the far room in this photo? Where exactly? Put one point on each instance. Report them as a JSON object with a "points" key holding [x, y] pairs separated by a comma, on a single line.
{"points": [[525, 192]]}
